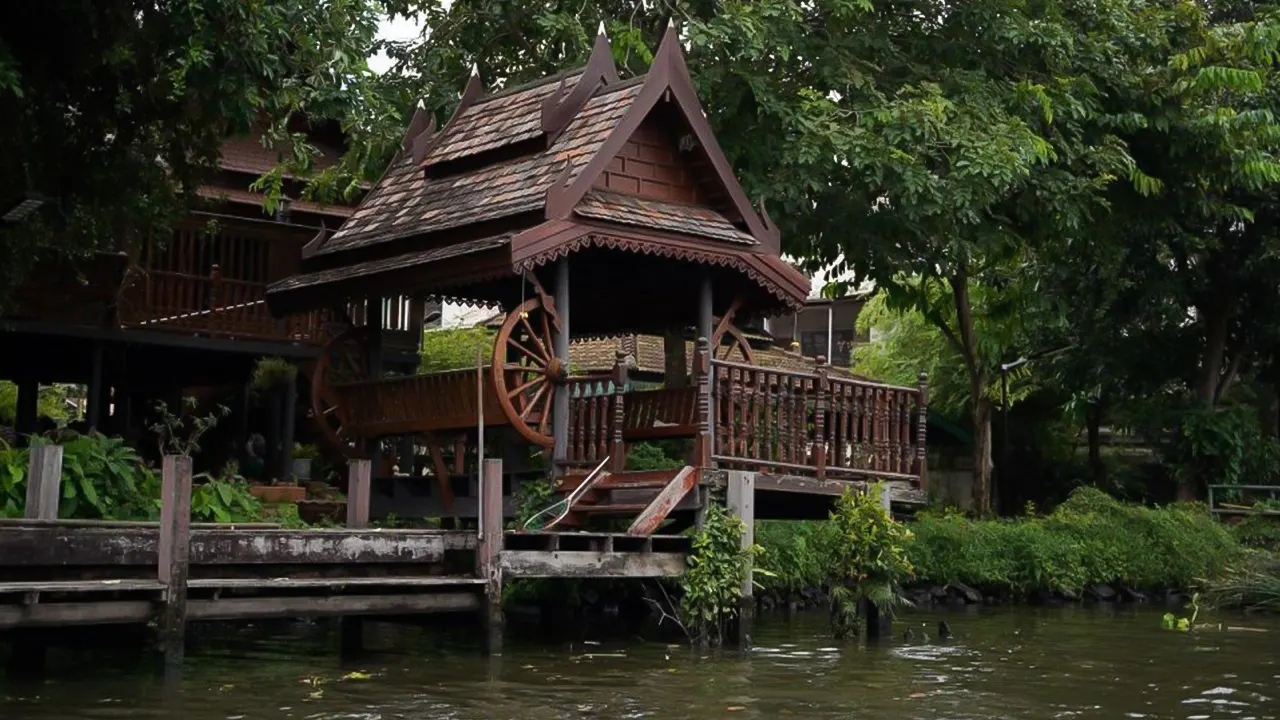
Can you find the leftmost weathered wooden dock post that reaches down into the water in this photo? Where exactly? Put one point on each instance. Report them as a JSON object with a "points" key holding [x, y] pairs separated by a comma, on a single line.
{"points": [[175, 548]]}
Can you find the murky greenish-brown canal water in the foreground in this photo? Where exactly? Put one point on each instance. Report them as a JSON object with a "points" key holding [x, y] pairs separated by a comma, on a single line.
{"points": [[1000, 663]]}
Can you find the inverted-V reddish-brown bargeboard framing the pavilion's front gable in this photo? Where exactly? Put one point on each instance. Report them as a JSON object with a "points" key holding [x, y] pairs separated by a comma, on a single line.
{"points": [[669, 72]]}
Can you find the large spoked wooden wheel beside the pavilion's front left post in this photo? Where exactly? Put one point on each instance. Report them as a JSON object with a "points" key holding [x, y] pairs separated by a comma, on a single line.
{"points": [[525, 372]]}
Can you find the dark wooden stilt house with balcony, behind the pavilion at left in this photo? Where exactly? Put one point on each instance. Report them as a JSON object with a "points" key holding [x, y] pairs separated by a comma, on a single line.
{"points": [[184, 312]]}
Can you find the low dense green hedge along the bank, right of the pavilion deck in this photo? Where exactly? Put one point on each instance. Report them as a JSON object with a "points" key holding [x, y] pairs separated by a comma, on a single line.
{"points": [[1091, 539]]}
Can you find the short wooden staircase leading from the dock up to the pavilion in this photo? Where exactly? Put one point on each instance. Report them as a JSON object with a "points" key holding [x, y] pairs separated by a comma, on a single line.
{"points": [[647, 498]]}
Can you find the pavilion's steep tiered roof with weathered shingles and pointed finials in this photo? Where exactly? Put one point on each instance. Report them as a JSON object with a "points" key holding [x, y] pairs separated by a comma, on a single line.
{"points": [[529, 163]]}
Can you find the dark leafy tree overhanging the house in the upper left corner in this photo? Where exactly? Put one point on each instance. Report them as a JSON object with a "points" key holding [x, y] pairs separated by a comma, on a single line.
{"points": [[113, 111]]}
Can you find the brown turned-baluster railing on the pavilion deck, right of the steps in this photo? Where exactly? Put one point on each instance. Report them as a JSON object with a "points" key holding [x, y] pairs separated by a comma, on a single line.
{"points": [[816, 423]]}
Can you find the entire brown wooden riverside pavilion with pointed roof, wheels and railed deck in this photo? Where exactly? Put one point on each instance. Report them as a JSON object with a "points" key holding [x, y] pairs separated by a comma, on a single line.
{"points": [[589, 207]]}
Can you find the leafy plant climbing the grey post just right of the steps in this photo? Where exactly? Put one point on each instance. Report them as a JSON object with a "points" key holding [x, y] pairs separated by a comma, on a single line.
{"points": [[714, 581]]}
